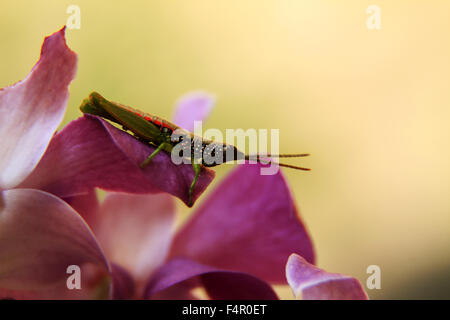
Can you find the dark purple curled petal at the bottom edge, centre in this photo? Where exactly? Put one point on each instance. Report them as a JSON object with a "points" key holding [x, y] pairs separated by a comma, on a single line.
{"points": [[220, 284]]}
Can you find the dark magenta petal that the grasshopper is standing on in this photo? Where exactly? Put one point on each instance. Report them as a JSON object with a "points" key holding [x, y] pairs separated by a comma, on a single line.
{"points": [[89, 153]]}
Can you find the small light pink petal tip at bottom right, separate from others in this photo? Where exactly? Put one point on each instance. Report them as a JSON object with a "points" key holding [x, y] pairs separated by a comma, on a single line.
{"points": [[311, 283]]}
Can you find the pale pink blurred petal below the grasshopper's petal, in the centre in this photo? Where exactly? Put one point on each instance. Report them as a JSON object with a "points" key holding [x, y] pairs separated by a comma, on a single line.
{"points": [[135, 231]]}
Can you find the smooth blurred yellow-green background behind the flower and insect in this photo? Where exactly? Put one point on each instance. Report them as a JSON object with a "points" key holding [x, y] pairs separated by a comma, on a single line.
{"points": [[371, 106]]}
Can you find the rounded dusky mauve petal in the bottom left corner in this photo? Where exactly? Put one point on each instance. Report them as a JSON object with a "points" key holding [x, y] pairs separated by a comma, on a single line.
{"points": [[40, 237]]}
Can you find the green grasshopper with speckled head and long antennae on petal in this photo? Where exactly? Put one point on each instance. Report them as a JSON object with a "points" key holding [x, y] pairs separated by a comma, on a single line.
{"points": [[167, 136]]}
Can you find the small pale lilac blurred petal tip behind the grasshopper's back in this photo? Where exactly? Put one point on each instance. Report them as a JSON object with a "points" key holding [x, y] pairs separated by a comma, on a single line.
{"points": [[194, 106]]}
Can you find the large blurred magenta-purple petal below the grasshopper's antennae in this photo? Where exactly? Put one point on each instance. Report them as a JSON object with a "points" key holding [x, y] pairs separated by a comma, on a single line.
{"points": [[248, 224]]}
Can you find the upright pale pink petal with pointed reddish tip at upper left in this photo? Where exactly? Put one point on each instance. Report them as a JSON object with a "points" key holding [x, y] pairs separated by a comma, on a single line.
{"points": [[31, 110]]}
